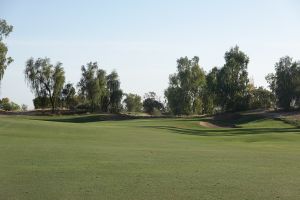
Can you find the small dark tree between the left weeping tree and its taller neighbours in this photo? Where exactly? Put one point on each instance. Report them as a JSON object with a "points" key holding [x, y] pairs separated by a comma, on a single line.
{"points": [[69, 96]]}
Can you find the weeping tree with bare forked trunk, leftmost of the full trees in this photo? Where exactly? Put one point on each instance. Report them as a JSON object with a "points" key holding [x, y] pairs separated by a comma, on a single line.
{"points": [[45, 79]]}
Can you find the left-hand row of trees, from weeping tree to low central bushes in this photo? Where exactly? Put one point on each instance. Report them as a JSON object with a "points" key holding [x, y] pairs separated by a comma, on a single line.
{"points": [[97, 90]]}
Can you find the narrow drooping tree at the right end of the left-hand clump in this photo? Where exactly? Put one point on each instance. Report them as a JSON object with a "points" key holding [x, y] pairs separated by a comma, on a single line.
{"points": [[114, 92]]}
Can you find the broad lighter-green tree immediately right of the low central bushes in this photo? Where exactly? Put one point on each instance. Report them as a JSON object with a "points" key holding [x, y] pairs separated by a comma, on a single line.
{"points": [[186, 87]]}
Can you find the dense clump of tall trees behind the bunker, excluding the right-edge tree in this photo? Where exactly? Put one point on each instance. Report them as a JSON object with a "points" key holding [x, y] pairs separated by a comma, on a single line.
{"points": [[192, 91]]}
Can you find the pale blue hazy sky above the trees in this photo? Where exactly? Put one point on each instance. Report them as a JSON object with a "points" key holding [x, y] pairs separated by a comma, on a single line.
{"points": [[142, 39]]}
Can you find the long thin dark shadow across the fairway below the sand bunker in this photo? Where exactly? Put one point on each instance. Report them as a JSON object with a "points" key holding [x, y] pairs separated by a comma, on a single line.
{"points": [[225, 131]]}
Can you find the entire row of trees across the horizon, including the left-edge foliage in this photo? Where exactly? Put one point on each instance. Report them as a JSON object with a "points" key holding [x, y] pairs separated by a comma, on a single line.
{"points": [[191, 90]]}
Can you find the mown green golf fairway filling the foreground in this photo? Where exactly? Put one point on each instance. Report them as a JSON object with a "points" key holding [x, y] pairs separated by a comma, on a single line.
{"points": [[79, 157]]}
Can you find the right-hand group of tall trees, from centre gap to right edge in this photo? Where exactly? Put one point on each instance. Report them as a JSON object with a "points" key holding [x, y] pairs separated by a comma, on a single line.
{"points": [[228, 89]]}
